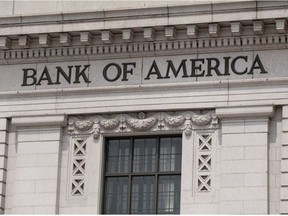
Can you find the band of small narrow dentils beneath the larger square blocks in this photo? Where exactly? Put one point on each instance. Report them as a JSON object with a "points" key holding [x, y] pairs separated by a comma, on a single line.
{"points": [[190, 46]]}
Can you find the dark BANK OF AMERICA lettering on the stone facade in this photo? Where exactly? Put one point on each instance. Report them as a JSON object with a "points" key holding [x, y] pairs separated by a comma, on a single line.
{"points": [[187, 68]]}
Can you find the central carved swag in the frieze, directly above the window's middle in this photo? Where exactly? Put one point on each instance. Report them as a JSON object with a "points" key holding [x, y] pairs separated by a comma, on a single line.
{"points": [[141, 123]]}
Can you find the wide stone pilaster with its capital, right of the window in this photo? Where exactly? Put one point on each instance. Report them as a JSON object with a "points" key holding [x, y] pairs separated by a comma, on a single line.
{"points": [[244, 160]]}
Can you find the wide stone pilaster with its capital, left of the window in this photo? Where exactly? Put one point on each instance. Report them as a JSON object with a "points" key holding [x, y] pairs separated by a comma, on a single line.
{"points": [[37, 173]]}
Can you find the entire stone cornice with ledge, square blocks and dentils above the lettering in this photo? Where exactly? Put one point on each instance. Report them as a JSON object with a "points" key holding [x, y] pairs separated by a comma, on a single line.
{"points": [[204, 28]]}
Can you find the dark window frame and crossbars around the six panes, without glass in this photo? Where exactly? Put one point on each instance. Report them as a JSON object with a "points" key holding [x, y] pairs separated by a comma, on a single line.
{"points": [[130, 173]]}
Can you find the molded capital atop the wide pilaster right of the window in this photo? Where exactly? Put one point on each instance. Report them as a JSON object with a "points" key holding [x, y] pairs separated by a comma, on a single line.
{"points": [[245, 112]]}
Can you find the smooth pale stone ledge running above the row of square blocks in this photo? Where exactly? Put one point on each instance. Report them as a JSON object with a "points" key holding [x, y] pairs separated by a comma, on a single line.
{"points": [[204, 8]]}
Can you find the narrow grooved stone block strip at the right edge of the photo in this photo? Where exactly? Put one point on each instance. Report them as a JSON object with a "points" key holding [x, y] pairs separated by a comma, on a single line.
{"points": [[284, 164]]}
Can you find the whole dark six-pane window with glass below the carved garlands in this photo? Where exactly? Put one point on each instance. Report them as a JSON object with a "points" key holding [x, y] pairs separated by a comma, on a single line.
{"points": [[142, 175]]}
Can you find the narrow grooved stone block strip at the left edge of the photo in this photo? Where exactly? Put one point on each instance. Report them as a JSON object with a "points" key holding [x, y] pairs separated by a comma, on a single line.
{"points": [[3, 161]]}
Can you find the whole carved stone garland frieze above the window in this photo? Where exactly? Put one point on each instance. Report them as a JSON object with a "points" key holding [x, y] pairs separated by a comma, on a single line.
{"points": [[142, 122]]}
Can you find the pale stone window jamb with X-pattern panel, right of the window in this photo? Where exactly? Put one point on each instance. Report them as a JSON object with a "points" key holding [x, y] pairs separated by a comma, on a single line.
{"points": [[199, 172]]}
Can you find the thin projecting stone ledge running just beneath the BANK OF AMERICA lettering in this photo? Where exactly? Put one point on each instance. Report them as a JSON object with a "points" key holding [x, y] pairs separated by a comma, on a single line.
{"points": [[147, 87]]}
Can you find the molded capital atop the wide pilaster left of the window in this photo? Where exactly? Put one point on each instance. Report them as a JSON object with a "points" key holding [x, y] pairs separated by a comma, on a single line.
{"points": [[40, 120]]}
